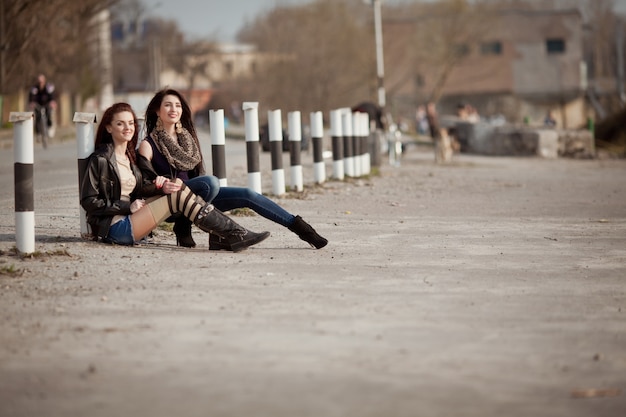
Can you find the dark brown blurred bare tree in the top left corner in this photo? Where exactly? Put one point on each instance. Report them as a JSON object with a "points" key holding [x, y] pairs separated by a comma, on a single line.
{"points": [[51, 37]]}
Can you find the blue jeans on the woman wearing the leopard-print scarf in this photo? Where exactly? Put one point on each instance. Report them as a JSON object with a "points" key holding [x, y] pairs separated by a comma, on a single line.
{"points": [[229, 198]]}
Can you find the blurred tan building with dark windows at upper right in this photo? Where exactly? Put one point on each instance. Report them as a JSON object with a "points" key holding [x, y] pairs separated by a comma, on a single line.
{"points": [[526, 63]]}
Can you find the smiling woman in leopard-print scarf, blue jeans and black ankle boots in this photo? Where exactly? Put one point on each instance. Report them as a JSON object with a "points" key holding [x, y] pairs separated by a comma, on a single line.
{"points": [[172, 149]]}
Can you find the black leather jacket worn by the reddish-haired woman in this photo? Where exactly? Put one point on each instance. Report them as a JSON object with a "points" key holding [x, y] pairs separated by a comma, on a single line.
{"points": [[101, 191]]}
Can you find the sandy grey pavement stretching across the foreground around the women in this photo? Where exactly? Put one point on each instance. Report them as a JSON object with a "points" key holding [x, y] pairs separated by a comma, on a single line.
{"points": [[487, 287]]}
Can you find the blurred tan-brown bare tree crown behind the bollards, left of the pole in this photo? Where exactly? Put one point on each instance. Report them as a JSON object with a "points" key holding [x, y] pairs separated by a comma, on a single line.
{"points": [[321, 56]]}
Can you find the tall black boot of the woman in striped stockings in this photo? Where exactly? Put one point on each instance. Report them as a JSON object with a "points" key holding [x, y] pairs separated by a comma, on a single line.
{"points": [[213, 221]]}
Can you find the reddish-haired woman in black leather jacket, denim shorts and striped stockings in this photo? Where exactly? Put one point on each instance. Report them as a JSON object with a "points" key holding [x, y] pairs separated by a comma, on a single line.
{"points": [[122, 208]]}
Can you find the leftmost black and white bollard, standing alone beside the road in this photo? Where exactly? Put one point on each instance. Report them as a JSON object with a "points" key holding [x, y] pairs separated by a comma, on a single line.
{"points": [[23, 153]]}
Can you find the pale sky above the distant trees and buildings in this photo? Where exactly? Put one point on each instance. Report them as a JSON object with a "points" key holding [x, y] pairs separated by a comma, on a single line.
{"points": [[222, 19]]}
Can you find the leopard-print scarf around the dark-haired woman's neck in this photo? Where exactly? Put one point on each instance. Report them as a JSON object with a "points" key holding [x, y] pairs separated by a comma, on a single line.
{"points": [[184, 154]]}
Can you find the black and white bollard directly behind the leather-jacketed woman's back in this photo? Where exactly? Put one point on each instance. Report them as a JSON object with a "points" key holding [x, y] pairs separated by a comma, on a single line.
{"points": [[85, 135]]}
